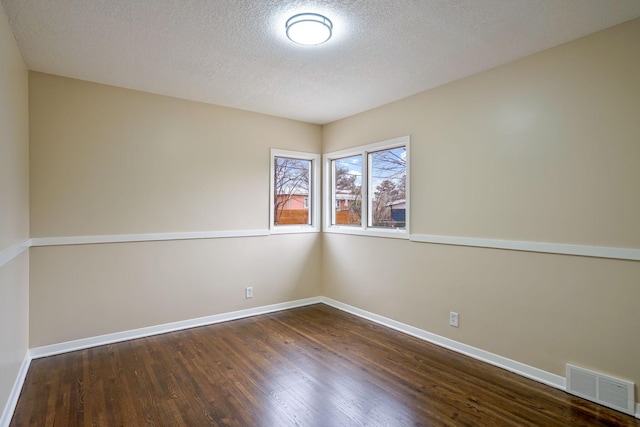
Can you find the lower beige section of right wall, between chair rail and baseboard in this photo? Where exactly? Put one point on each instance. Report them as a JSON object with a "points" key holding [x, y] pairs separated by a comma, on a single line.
{"points": [[543, 310]]}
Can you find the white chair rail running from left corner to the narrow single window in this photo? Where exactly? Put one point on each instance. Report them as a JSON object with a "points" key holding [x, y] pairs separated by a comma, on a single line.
{"points": [[125, 238]]}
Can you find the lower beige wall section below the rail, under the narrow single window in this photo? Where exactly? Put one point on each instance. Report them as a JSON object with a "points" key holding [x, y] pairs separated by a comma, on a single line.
{"points": [[82, 291]]}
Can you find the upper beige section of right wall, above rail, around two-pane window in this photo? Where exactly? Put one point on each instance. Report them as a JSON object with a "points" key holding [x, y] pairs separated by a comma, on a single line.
{"points": [[543, 149]]}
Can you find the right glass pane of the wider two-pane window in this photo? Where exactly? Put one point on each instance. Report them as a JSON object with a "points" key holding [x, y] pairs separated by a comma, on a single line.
{"points": [[387, 187]]}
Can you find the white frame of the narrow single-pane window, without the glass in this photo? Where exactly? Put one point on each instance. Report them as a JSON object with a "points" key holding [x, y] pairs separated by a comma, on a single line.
{"points": [[314, 193]]}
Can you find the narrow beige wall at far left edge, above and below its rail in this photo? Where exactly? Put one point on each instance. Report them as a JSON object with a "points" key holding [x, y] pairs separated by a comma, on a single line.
{"points": [[14, 209]]}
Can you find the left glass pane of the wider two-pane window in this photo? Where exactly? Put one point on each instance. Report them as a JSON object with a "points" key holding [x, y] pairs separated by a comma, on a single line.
{"points": [[347, 191]]}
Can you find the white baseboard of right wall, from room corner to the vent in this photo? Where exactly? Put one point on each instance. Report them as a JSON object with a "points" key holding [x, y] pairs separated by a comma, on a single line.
{"points": [[527, 371]]}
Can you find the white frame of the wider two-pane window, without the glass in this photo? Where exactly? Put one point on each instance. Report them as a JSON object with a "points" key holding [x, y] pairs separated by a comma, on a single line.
{"points": [[327, 190]]}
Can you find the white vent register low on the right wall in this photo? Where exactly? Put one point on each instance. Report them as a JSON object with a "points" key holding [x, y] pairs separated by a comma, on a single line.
{"points": [[608, 391]]}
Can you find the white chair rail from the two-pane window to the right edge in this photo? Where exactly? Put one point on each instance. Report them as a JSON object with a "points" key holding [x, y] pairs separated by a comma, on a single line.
{"points": [[515, 245]]}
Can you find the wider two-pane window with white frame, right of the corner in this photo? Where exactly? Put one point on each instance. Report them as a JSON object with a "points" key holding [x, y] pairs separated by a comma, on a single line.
{"points": [[367, 190]]}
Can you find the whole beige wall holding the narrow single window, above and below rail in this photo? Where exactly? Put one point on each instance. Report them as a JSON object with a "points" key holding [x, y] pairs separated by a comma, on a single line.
{"points": [[106, 160]]}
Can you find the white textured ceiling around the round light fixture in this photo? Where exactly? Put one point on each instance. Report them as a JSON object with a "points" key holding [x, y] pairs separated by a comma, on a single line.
{"points": [[235, 52]]}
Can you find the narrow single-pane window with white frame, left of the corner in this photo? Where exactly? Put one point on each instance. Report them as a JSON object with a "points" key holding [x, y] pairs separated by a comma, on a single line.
{"points": [[294, 189]]}
